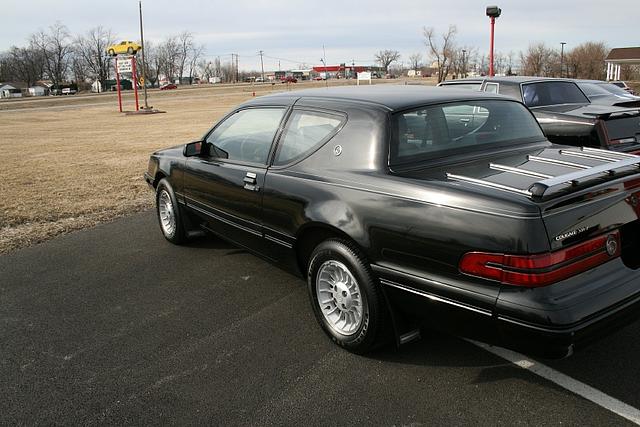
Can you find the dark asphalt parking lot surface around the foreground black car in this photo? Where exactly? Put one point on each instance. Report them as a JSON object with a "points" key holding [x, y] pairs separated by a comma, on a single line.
{"points": [[114, 325]]}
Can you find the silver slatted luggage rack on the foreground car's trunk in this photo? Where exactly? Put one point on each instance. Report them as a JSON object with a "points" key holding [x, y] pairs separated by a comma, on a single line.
{"points": [[614, 164]]}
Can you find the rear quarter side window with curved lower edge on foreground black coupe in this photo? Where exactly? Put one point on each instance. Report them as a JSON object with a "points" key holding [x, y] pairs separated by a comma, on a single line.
{"points": [[305, 130]]}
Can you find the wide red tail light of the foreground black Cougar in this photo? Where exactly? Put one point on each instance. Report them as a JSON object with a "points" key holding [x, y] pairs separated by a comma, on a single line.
{"points": [[542, 269]]}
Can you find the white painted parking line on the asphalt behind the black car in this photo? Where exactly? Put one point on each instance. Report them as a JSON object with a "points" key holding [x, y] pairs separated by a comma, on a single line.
{"points": [[575, 386]]}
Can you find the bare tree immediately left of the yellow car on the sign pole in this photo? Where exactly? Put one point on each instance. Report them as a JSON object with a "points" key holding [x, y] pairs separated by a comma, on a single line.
{"points": [[91, 51]]}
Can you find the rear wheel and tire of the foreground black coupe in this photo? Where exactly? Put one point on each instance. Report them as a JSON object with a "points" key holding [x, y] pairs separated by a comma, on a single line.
{"points": [[346, 297]]}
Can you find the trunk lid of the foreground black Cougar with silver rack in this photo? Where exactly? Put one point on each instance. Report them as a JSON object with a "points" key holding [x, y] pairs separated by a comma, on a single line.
{"points": [[581, 192]]}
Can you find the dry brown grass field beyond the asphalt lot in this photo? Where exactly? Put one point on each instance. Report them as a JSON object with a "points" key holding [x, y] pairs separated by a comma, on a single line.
{"points": [[70, 163]]}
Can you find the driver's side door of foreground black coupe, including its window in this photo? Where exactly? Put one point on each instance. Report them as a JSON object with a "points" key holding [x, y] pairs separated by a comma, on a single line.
{"points": [[226, 185]]}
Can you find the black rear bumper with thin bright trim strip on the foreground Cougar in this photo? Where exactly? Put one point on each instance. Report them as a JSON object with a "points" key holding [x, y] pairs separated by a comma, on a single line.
{"points": [[540, 326]]}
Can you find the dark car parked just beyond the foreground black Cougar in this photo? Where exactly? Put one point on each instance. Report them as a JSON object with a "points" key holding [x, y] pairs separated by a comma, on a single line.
{"points": [[566, 114]]}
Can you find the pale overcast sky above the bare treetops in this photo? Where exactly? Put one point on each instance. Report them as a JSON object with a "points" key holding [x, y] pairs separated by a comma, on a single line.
{"points": [[295, 32]]}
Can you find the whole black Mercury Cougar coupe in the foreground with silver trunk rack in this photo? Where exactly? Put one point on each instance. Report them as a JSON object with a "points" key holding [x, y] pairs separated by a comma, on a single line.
{"points": [[396, 206]]}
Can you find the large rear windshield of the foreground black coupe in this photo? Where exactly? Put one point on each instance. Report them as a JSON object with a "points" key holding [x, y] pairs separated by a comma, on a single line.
{"points": [[447, 129]]}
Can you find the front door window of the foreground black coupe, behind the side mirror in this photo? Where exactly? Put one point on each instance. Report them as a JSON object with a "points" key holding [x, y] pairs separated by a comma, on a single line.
{"points": [[246, 135]]}
